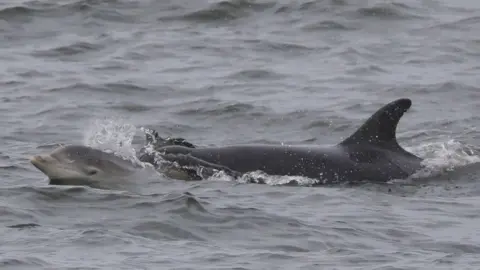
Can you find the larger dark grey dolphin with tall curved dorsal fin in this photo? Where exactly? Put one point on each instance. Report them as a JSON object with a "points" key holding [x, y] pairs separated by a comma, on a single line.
{"points": [[372, 153]]}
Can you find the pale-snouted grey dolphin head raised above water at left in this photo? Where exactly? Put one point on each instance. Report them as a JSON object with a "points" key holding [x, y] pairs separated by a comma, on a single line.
{"points": [[80, 165]]}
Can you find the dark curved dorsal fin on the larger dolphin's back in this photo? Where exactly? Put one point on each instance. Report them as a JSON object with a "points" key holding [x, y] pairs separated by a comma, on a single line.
{"points": [[380, 128]]}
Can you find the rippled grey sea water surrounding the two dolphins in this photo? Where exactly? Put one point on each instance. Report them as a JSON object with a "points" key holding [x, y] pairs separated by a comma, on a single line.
{"points": [[228, 72]]}
